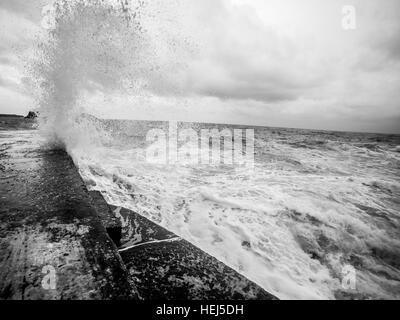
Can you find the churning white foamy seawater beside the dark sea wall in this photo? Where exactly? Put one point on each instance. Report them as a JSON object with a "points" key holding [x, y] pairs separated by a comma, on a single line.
{"points": [[292, 225]]}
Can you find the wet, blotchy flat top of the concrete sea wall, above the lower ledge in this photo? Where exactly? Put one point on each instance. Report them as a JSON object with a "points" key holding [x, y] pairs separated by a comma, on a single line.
{"points": [[52, 242]]}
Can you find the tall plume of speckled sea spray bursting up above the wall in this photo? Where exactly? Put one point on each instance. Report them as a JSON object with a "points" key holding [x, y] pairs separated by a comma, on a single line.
{"points": [[75, 55]]}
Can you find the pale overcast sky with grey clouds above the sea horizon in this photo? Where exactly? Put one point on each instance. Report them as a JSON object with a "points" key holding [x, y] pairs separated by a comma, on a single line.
{"points": [[285, 63]]}
